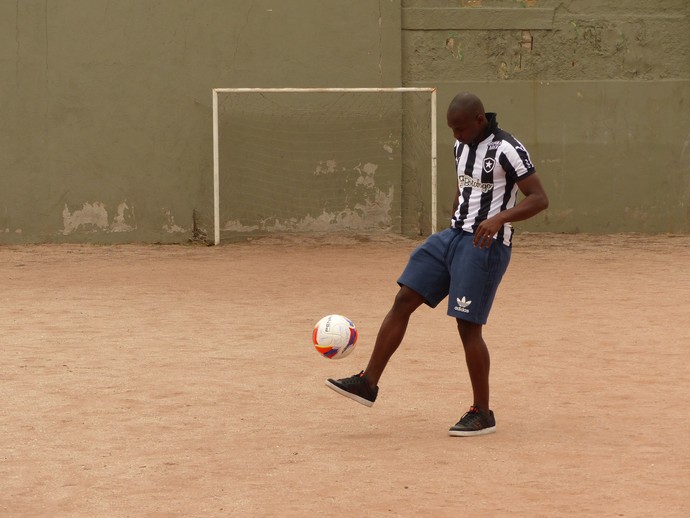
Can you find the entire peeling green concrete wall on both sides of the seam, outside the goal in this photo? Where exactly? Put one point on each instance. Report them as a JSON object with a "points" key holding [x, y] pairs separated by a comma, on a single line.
{"points": [[105, 105]]}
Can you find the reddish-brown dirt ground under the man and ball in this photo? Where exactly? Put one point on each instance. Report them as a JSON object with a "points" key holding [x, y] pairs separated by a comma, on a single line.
{"points": [[157, 381]]}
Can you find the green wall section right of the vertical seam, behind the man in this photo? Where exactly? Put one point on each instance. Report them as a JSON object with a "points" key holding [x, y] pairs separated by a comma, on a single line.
{"points": [[598, 91]]}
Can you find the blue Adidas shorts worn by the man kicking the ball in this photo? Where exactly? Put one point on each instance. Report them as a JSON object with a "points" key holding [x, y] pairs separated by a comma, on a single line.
{"points": [[448, 264]]}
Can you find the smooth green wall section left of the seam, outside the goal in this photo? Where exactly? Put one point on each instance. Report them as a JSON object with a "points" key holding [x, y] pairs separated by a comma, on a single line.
{"points": [[105, 126]]}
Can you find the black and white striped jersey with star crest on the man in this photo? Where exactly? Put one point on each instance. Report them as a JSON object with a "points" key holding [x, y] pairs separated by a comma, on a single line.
{"points": [[487, 179]]}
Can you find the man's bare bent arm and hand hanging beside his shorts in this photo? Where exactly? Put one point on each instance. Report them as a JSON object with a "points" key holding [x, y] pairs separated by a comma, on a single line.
{"points": [[534, 202]]}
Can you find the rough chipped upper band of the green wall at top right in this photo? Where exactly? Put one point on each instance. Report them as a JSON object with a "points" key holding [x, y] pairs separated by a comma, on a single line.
{"points": [[587, 40]]}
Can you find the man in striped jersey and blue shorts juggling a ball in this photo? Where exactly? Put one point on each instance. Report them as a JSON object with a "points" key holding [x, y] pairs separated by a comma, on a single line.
{"points": [[466, 261]]}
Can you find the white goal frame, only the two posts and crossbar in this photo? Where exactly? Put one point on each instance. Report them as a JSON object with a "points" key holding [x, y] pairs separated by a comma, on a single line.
{"points": [[216, 152]]}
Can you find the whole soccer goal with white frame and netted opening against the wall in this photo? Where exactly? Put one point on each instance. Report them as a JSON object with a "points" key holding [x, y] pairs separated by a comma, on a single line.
{"points": [[358, 160]]}
